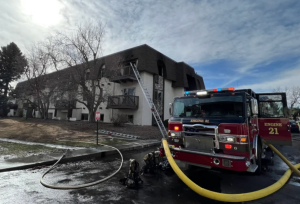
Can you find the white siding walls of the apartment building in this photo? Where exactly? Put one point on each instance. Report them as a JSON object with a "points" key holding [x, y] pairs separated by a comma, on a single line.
{"points": [[141, 116]]}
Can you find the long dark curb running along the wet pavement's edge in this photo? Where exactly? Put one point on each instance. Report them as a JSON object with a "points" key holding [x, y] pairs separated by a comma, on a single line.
{"points": [[81, 157]]}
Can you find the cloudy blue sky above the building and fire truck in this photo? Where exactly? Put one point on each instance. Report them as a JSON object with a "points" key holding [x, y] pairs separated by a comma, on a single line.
{"points": [[245, 44]]}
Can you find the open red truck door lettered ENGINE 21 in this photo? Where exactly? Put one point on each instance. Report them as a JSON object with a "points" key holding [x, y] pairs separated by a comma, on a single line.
{"points": [[273, 121]]}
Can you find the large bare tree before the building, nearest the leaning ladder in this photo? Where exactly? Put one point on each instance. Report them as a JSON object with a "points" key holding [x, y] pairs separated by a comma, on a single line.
{"points": [[81, 51]]}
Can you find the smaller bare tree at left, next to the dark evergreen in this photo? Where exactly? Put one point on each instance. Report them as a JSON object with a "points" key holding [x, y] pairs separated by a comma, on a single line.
{"points": [[41, 87]]}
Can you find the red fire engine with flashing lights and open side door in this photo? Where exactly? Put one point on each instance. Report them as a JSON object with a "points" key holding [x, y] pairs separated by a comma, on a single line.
{"points": [[225, 128]]}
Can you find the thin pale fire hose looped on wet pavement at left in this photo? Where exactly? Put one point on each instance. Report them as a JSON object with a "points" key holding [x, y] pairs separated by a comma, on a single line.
{"points": [[82, 185]]}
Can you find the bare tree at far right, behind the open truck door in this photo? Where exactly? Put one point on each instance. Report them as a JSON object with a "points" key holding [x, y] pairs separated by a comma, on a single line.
{"points": [[292, 94]]}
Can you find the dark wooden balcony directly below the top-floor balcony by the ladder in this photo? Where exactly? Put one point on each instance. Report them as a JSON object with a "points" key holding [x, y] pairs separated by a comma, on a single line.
{"points": [[123, 102]]}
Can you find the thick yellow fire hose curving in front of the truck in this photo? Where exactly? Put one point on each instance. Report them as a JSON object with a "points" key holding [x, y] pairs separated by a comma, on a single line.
{"points": [[233, 197]]}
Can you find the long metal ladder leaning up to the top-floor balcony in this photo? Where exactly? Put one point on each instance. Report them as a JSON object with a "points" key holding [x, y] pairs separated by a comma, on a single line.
{"points": [[156, 116]]}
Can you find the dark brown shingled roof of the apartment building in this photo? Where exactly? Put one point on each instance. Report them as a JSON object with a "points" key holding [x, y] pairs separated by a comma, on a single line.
{"points": [[148, 61]]}
